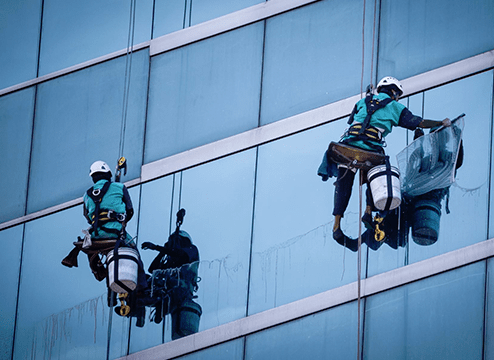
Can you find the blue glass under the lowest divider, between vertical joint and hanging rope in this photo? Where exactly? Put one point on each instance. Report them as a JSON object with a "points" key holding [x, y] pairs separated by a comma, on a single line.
{"points": [[331, 334]]}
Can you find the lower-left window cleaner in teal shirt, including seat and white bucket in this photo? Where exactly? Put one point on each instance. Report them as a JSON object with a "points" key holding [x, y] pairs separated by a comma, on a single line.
{"points": [[107, 208]]}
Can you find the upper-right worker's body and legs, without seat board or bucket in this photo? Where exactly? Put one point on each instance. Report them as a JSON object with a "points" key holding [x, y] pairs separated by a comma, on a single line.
{"points": [[371, 120]]}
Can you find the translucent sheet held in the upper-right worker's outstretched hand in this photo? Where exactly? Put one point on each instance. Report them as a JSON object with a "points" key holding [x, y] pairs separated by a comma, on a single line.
{"points": [[429, 162]]}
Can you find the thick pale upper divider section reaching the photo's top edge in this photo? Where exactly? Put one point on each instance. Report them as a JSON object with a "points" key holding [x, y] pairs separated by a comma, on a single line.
{"points": [[223, 24]]}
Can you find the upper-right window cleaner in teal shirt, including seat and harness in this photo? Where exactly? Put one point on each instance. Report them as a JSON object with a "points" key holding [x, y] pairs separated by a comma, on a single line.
{"points": [[371, 120]]}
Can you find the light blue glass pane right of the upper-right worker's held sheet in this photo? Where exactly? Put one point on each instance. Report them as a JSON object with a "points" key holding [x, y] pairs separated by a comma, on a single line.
{"points": [[468, 196]]}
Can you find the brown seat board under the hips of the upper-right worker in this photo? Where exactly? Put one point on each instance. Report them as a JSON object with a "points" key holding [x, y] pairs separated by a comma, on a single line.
{"points": [[354, 157]]}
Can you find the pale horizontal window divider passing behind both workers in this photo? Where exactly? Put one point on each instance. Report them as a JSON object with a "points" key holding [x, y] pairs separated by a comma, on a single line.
{"points": [[282, 128]]}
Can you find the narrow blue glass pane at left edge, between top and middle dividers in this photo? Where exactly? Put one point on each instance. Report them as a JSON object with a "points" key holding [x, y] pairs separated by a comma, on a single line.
{"points": [[16, 121]]}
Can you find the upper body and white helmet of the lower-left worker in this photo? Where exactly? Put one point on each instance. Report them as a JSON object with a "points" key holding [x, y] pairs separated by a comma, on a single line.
{"points": [[107, 205]]}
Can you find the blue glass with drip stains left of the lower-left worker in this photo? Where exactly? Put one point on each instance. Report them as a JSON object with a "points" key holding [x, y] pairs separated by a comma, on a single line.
{"points": [[70, 319]]}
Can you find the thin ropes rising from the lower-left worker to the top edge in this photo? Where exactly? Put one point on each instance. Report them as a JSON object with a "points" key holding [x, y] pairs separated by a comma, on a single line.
{"points": [[128, 71]]}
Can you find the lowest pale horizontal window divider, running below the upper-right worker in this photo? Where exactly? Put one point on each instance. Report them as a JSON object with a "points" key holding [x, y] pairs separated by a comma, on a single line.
{"points": [[319, 302]]}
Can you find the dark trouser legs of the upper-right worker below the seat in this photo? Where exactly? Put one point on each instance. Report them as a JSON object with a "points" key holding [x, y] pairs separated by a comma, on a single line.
{"points": [[343, 190]]}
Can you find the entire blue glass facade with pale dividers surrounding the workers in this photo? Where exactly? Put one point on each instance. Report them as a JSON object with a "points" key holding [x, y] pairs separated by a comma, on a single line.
{"points": [[240, 107]]}
